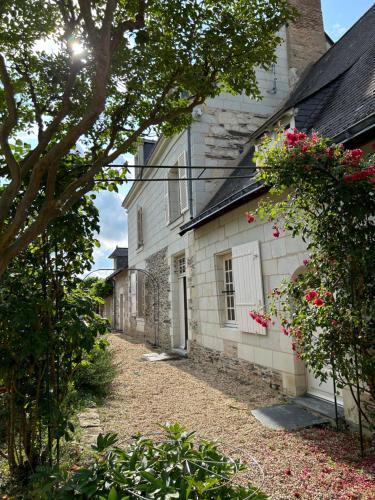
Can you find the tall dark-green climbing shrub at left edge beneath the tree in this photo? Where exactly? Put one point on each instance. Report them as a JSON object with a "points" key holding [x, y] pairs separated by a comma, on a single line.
{"points": [[48, 326]]}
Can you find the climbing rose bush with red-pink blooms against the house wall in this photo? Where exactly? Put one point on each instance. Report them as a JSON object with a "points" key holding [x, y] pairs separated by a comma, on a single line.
{"points": [[326, 195]]}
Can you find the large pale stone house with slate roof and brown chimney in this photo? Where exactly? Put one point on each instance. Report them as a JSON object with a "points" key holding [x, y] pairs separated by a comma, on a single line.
{"points": [[192, 237]]}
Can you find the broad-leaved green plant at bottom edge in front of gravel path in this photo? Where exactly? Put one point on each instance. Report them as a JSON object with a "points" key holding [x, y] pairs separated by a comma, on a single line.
{"points": [[174, 468]]}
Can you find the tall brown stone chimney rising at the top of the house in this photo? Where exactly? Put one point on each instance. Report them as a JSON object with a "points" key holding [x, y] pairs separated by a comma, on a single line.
{"points": [[305, 38]]}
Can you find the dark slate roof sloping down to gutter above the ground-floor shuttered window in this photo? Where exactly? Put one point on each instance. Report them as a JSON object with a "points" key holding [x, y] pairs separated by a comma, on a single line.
{"points": [[336, 95]]}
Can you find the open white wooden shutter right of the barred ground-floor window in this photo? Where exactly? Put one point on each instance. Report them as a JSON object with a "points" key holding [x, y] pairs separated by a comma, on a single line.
{"points": [[248, 285]]}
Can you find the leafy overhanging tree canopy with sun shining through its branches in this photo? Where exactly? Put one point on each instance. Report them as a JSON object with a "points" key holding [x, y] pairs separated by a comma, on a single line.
{"points": [[97, 74]]}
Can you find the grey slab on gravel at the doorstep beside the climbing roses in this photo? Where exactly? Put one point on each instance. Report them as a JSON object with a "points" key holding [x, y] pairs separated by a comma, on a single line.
{"points": [[289, 417]]}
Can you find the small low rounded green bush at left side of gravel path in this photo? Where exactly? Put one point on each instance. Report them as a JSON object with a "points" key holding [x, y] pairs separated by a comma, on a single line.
{"points": [[96, 371]]}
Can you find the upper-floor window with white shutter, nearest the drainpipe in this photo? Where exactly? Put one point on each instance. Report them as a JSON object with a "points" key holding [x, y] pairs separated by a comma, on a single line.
{"points": [[176, 190]]}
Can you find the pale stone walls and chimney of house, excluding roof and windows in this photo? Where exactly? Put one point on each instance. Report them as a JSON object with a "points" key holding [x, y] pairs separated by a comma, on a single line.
{"points": [[217, 137]]}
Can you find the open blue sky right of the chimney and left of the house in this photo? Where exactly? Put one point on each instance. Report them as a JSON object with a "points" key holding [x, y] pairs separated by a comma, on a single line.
{"points": [[338, 16]]}
